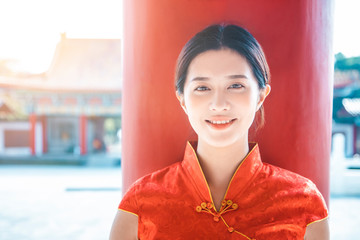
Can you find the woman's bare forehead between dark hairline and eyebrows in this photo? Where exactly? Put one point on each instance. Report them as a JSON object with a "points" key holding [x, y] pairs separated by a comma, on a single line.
{"points": [[216, 63]]}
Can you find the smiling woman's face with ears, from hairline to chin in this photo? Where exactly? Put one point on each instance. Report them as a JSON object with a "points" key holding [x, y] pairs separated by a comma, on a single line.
{"points": [[221, 96]]}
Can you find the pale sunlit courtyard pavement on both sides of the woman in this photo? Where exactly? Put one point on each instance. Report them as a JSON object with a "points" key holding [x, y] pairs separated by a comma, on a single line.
{"points": [[77, 203]]}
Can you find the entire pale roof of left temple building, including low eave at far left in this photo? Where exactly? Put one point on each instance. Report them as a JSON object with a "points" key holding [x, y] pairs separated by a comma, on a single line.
{"points": [[78, 65]]}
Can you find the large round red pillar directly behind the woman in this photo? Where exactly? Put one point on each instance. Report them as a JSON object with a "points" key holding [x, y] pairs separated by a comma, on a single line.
{"points": [[296, 37]]}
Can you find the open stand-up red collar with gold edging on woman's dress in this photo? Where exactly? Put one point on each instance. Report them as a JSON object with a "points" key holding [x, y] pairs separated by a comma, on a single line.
{"points": [[247, 169]]}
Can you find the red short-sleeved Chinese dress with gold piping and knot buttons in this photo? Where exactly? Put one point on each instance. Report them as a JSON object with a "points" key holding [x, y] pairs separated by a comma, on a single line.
{"points": [[262, 202]]}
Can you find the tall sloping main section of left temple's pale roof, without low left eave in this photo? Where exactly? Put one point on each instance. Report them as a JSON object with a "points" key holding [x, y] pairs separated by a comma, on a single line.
{"points": [[86, 63]]}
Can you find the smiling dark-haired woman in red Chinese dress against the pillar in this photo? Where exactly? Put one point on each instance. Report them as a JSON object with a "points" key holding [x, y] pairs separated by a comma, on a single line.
{"points": [[222, 190]]}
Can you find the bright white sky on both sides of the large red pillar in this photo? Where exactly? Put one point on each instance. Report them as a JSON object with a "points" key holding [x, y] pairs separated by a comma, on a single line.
{"points": [[30, 29]]}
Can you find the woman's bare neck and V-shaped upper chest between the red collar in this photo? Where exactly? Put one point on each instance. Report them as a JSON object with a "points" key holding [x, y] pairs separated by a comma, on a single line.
{"points": [[219, 165]]}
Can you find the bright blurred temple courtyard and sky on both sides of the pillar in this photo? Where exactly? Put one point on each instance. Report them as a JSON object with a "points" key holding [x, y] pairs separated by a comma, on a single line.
{"points": [[60, 119]]}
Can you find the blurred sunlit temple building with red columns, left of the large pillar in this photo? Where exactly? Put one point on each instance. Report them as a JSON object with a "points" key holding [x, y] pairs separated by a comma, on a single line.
{"points": [[74, 108]]}
